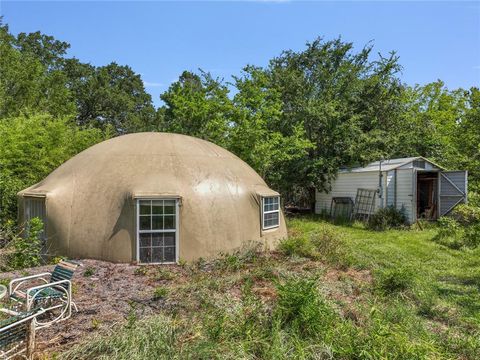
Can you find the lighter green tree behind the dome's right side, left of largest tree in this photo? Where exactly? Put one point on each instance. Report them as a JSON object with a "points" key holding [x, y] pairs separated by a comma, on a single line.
{"points": [[276, 157]]}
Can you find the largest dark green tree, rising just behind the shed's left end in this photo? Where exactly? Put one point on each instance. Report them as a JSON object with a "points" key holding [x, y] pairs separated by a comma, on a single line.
{"points": [[346, 103]]}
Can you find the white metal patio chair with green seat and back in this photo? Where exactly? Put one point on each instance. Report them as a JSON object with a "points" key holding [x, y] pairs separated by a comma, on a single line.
{"points": [[54, 295]]}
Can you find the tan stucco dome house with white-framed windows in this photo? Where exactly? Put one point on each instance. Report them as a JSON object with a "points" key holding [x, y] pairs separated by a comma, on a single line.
{"points": [[153, 198]]}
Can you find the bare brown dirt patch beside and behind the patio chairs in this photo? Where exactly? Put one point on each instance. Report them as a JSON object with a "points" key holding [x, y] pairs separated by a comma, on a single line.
{"points": [[105, 295]]}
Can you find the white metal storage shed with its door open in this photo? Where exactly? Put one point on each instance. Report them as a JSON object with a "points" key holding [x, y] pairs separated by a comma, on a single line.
{"points": [[423, 188]]}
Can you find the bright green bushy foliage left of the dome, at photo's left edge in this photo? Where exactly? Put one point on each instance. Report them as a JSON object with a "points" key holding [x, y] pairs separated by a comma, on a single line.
{"points": [[31, 146]]}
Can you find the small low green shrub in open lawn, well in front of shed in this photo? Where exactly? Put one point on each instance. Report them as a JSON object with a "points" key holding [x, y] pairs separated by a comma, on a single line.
{"points": [[394, 280]]}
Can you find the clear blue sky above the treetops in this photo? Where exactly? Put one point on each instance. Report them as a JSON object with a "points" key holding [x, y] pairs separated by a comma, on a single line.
{"points": [[158, 39]]}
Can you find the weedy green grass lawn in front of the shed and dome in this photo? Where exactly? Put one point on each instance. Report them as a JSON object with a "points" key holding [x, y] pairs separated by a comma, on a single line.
{"points": [[331, 291]]}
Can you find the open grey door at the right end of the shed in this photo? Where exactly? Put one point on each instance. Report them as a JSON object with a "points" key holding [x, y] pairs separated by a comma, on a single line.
{"points": [[453, 190]]}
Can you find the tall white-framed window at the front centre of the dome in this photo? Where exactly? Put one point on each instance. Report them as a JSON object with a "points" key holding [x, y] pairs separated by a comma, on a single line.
{"points": [[157, 231]]}
